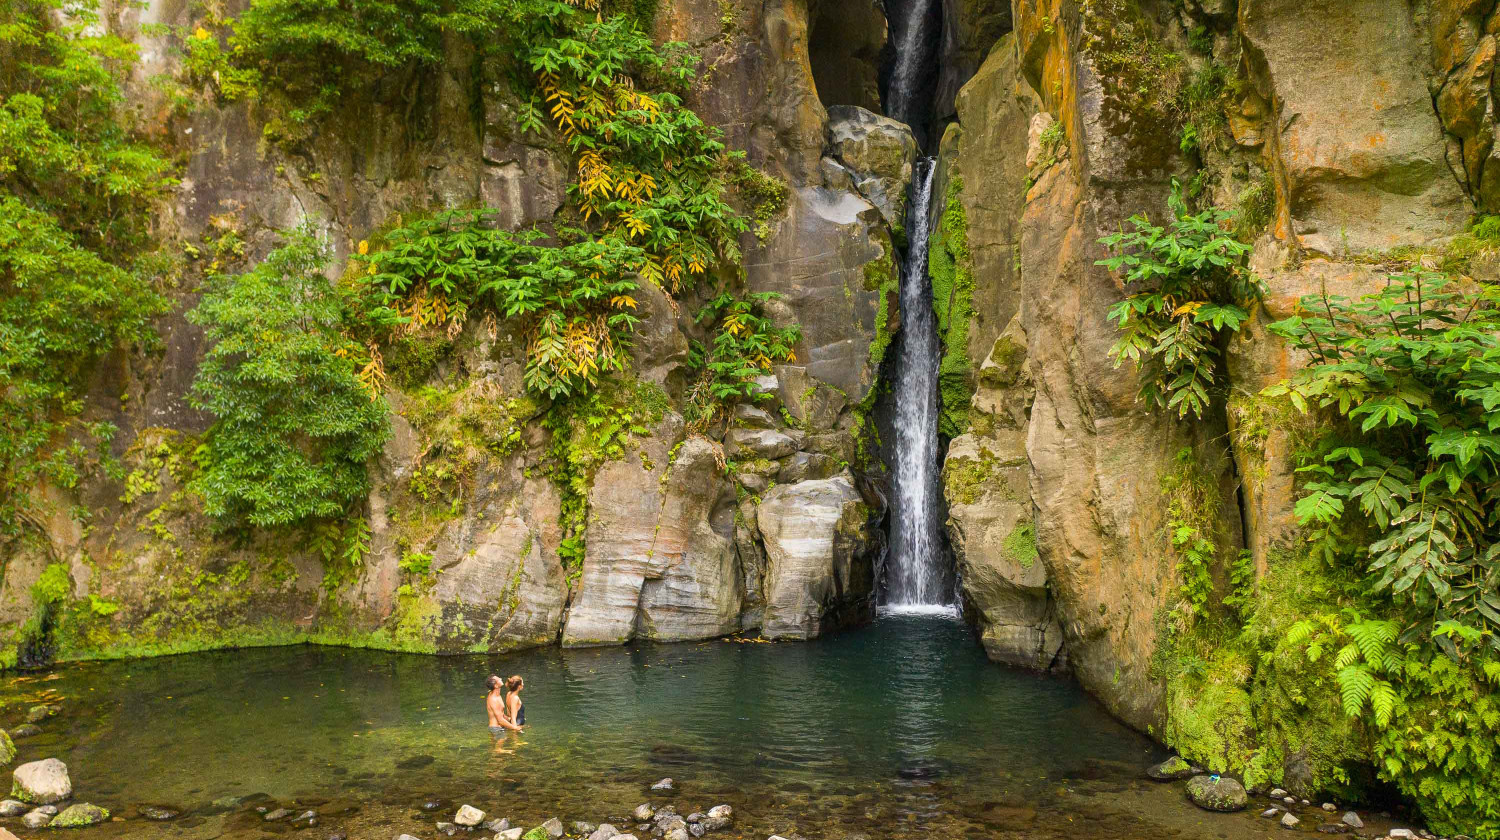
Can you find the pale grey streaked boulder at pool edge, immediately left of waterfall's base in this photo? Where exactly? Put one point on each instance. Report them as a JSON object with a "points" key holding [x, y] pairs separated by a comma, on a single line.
{"points": [[818, 569]]}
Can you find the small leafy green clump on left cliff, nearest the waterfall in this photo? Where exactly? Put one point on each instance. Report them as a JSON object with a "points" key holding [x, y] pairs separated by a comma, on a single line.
{"points": [[745, 344]]}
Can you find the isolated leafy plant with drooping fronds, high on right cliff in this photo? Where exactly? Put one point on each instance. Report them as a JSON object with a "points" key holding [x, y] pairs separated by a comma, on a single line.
{"points": [[1193, 289]]}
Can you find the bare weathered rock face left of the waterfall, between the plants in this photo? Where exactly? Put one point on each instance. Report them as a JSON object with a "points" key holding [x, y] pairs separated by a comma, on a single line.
{"points": [[466, 545]]}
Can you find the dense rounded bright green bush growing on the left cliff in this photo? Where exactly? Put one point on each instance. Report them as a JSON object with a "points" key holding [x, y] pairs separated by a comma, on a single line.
{"points": [[296, 425]]}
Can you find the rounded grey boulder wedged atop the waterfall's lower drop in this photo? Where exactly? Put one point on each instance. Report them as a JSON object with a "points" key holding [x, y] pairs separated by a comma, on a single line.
{"points": [[878, 152]]}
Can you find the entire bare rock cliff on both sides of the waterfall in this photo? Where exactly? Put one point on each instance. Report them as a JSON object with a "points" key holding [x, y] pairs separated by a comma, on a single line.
{"points": [[1340, 130]]}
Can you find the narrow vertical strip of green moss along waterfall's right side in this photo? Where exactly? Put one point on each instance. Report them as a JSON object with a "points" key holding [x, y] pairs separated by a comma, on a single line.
{"points": [[950, 265]]}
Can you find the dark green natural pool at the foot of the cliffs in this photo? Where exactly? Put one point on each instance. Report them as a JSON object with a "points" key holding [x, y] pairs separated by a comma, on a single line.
{"points": [[898, 731]]}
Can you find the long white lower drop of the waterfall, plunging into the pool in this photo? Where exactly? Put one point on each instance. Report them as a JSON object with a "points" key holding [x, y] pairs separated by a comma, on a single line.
{"points": [[917, 569]]}
